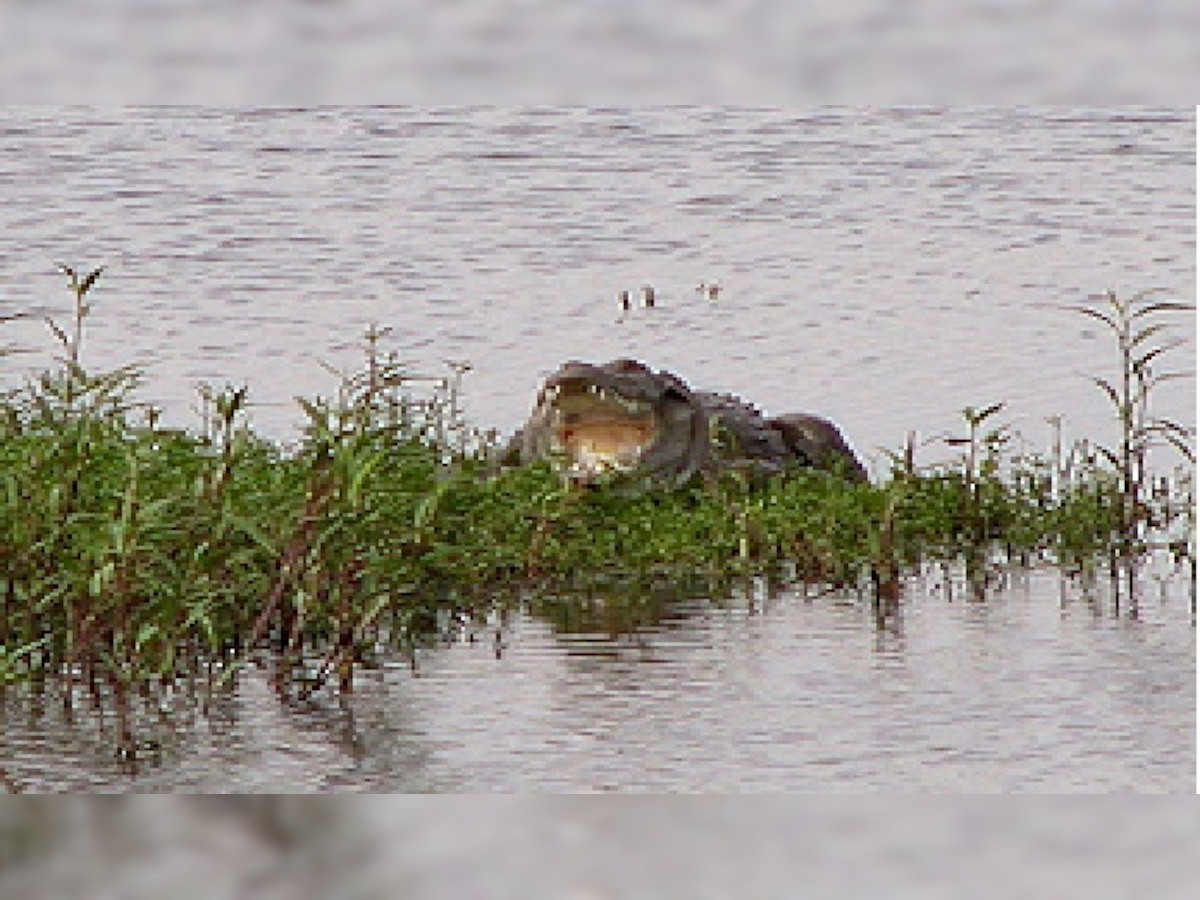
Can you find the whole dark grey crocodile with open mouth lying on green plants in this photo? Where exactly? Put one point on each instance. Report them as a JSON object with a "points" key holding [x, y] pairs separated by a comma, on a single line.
{"points": [[622, 418]]}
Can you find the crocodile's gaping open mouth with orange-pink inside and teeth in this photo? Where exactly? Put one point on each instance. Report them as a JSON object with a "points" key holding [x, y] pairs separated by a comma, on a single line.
{"points": [[596, 430]]}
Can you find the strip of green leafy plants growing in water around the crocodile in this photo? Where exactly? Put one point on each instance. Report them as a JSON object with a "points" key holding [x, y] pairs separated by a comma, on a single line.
{"points": [[139, 561]]}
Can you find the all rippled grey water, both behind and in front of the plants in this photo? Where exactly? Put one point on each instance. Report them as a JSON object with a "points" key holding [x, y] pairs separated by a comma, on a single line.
{"points": [[885, 268]]}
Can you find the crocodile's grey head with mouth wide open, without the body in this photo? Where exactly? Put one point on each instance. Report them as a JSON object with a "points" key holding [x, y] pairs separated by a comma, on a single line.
{"points": [[617, 418]]}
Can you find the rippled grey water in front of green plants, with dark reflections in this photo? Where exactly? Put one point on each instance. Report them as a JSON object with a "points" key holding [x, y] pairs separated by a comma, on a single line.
{"points": [[760, 693]]}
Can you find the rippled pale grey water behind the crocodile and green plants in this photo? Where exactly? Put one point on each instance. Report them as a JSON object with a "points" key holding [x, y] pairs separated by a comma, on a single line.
{"points": [[884, 268]]}
